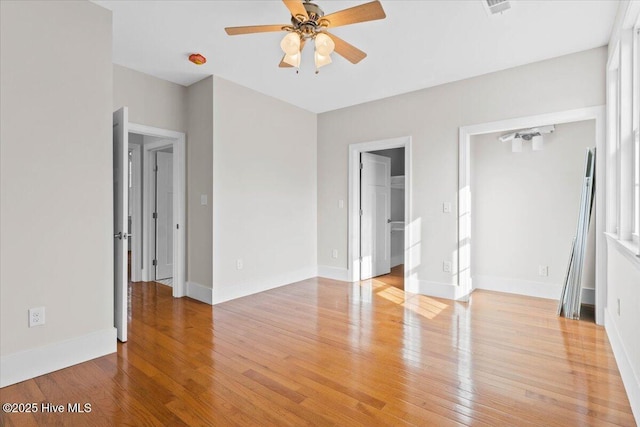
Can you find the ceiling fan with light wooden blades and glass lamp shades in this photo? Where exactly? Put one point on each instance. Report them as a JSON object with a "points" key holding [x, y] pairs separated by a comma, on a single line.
{"points": [[308, 22]]}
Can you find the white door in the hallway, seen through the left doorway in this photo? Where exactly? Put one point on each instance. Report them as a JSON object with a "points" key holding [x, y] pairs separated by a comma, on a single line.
{"points": [[164, 218]]}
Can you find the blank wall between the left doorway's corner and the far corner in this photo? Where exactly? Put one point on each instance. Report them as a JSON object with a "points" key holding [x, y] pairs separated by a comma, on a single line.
{"points": [[264, 192]]}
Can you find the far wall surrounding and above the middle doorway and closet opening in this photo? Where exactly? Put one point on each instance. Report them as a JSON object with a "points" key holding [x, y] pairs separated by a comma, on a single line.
{"points": [[432, 118]]}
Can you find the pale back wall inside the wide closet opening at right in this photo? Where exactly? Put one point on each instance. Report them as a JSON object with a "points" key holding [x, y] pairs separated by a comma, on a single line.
{"points": [[525, 210]]}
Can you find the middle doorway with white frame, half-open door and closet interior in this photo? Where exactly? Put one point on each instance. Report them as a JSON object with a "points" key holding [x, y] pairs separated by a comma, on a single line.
{"points": [[381, 230]]}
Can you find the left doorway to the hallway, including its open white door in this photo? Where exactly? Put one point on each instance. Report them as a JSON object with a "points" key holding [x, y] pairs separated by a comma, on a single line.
{"points": [[129, 224]]}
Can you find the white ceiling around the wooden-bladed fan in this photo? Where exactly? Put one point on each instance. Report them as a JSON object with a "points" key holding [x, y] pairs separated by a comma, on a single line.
{"points": [[420, 44]]}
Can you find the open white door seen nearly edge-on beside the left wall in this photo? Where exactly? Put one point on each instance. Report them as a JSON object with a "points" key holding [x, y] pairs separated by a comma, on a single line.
{"points": [[120, 219]]}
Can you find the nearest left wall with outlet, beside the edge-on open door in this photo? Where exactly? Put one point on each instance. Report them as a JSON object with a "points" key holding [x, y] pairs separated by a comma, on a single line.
{"points": [[56, 196]]}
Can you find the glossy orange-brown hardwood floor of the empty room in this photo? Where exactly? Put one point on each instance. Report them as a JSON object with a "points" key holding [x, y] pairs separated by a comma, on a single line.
{"points": [[322, 352]]}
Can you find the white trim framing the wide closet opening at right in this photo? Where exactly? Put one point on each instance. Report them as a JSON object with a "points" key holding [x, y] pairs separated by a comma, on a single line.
{"points": [[464, 193]]}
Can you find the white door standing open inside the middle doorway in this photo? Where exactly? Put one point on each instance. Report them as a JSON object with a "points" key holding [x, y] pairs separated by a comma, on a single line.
{"points": [[375, 205]]}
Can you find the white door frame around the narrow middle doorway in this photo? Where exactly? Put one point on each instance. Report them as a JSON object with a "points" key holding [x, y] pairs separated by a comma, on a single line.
{"points": [[353, 247]]}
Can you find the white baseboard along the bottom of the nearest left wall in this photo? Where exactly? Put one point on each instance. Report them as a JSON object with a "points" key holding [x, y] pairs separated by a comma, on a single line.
{"points": [[32, 363]]}
